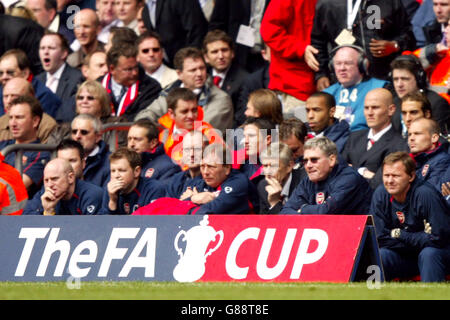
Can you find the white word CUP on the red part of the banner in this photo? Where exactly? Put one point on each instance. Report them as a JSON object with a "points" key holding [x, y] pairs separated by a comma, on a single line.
{"points": [[302, 257]]}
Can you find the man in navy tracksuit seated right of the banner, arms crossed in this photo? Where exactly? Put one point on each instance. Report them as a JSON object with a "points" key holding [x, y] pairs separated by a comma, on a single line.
{"points": [[412, 222]]}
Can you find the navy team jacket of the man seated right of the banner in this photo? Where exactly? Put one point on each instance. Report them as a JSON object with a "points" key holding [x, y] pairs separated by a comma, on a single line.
{"points": [[423, 202]]}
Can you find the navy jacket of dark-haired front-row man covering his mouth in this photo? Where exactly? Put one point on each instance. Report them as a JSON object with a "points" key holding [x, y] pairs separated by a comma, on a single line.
{"points": [[146, 191]]}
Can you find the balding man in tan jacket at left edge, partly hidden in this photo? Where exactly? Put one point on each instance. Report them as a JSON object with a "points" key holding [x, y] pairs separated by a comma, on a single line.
{"points": [[14, 88]]}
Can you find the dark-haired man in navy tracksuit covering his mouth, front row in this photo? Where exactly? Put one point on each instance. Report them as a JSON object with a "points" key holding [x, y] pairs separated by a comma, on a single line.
{"points": [[127, 190]]}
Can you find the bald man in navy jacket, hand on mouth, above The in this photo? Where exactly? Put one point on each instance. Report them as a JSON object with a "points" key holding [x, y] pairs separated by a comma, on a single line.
{"points": [[63, 193]]}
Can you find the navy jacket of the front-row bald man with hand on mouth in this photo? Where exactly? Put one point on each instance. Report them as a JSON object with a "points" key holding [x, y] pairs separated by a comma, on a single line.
{"points": [[87, 199]]}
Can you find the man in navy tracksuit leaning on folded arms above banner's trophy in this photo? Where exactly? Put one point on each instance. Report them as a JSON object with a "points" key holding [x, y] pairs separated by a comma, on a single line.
{"points": [[222, 189]]}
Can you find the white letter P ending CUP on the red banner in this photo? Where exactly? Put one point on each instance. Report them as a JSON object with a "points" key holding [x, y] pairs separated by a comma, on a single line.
{"points": [[303, 257]]}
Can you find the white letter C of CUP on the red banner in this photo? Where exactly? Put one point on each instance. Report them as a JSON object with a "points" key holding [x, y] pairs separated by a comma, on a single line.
{"points": [[233, 270]]}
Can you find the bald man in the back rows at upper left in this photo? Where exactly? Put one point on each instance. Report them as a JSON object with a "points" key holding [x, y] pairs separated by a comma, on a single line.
{"points": [[87, 27]]}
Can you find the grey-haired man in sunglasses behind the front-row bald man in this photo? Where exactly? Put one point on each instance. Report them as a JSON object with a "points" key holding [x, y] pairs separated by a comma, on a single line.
{"points": [[87, 130]]}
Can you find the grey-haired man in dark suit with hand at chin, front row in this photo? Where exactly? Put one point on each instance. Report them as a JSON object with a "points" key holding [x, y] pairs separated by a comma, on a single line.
{"points": [[281, 178]]}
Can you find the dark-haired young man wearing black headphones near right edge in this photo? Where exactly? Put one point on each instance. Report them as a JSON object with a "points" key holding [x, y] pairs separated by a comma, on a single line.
{"points": [[408, 76]]}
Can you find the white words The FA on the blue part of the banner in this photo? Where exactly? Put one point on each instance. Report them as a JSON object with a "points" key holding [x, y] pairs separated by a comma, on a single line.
{"points": [[87, 252]]}
